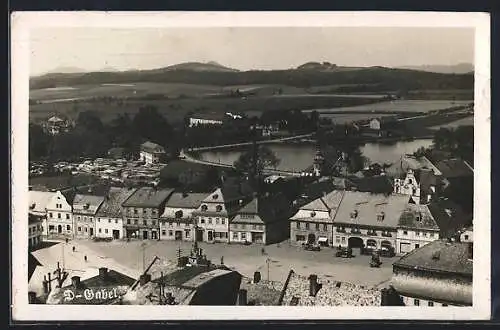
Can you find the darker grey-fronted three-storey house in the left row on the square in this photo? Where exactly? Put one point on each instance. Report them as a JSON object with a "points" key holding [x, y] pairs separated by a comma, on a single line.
{"points": [[141, 212]]}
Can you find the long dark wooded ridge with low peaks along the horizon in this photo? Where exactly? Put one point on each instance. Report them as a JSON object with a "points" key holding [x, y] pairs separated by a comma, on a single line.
{"points": [[213, 74]]}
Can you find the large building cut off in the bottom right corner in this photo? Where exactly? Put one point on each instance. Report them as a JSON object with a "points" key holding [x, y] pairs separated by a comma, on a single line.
{"points": [[437, 274]]}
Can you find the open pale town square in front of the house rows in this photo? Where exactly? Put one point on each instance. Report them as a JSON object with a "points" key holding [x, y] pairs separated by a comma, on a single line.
{"points": [[273, 265]]}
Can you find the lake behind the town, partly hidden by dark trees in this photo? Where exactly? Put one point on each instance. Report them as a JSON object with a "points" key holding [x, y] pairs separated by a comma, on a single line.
{"points": [[299, 157]]}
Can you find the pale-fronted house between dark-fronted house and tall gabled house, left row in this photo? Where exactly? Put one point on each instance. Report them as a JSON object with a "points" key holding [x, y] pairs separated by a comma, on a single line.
{"points": [[177, 221]]}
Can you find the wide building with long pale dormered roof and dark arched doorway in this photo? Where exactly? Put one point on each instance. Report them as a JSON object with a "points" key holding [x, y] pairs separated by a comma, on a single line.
{"points": [[370, 220]]}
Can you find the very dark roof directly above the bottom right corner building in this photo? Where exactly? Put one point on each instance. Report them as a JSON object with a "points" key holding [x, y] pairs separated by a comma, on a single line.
{"points": [[449, 216]]}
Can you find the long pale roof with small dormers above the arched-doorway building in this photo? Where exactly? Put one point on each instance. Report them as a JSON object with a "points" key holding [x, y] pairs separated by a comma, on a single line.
{"points": [[369, 206]]}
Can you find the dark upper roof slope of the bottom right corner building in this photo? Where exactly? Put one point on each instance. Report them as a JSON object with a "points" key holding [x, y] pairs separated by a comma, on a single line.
{"points": [[453, 258]]}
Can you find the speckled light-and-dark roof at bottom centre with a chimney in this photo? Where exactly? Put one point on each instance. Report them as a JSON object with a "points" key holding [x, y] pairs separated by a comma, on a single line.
{"points": [[331, 293]]}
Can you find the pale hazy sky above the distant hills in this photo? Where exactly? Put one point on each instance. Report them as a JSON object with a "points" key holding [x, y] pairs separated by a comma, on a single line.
{"points": [[247, 48]]}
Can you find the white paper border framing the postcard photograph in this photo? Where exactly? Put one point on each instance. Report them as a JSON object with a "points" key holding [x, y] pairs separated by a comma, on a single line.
{"points": [[22, 22]]}
